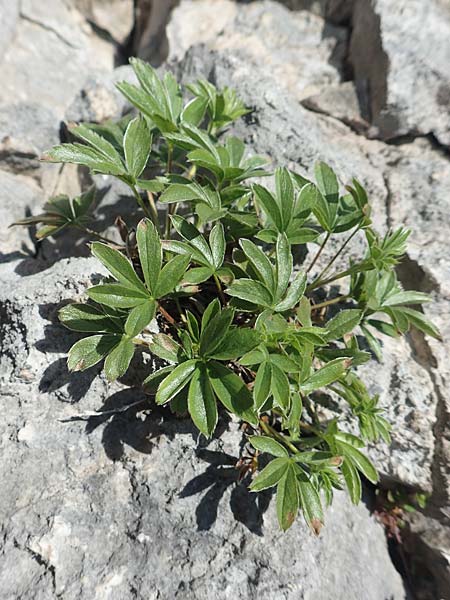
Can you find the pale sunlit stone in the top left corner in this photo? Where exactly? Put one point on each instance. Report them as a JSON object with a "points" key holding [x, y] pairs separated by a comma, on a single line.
{"points": [[51, 39]]}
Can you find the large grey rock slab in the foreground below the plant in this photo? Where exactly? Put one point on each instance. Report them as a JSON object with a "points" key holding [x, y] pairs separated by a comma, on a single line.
{"points": [[125, 491]]}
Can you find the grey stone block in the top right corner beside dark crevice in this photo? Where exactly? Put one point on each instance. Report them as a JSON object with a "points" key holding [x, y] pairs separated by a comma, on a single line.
{"points": [[406, 69]]}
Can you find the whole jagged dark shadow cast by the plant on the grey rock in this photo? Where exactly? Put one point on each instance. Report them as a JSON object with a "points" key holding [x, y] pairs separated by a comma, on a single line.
{"points": [[130, 418]]}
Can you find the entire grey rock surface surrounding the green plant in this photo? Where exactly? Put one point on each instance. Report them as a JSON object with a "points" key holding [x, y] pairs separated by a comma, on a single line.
{"points": [[134, 505]]}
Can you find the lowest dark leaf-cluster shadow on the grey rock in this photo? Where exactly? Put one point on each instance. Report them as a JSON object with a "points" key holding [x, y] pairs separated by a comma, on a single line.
{"points": [[221, 474]]}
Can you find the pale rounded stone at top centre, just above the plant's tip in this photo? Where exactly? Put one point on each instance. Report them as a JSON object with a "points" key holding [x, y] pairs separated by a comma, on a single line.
{"points": [[300, 49]]}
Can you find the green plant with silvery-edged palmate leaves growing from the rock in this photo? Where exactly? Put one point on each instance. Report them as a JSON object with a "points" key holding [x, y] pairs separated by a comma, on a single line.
{"points": [[242, 326]]}
